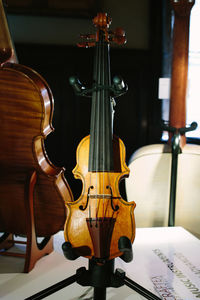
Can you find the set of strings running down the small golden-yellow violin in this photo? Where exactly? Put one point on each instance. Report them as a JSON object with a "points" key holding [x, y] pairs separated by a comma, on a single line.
{"points": [[102, 117]]}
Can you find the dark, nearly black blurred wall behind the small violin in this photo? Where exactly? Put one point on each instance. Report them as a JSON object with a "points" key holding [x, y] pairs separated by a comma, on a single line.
{"points": [[45, 34]]}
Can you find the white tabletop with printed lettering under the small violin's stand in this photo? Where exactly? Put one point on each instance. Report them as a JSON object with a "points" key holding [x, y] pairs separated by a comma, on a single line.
{"points": [[166, 262]]}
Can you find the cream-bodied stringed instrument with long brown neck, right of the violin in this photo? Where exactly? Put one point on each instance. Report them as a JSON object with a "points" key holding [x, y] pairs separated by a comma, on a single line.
{"points": [[150, 167]]}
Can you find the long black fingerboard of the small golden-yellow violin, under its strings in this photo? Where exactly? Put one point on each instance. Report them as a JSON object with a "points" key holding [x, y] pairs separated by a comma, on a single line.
{"points": [[101, 127]]}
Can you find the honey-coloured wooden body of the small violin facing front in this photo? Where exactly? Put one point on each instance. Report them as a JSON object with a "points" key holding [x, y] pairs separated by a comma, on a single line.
{"points": [[106, 225]]}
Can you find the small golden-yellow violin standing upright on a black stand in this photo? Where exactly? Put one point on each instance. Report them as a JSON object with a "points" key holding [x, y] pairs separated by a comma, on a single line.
{"points": [[100, 220]]}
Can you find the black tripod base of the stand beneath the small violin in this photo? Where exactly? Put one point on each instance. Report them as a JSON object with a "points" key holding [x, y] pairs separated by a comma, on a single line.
{"points": [[100, 277]]}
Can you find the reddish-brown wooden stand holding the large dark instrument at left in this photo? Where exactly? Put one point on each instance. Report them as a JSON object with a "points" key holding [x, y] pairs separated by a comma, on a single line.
{"points": [[34, 251]]}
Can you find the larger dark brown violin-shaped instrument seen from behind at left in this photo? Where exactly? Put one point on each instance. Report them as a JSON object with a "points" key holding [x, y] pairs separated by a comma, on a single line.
{"points": [[26, 105]]}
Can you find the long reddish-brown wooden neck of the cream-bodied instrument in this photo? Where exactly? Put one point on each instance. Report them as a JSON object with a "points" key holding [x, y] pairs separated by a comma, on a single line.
{"points": [[179, 76]]}
